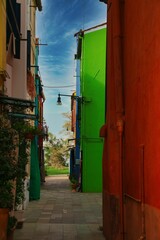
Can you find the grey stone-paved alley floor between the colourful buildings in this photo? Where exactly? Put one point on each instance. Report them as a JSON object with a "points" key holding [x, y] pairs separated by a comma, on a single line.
{"points": [[61, 214]]}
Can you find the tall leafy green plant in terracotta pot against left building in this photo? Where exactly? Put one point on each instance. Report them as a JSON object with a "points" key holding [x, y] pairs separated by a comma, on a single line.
{"points": [[13, 159]]}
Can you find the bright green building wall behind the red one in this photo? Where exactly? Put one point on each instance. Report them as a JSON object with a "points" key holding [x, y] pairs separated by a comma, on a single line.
{"points": [[93, 75]]}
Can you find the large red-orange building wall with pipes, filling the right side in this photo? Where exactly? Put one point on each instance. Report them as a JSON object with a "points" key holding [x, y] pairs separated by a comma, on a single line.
{"points": [[131, 195]]}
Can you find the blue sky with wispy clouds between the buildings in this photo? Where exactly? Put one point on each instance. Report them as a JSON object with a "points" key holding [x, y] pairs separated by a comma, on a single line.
{"points": [[56, 26]]}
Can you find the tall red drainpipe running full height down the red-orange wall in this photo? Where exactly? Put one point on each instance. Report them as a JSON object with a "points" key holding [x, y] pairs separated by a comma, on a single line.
{"points": [[118, 61]]}
